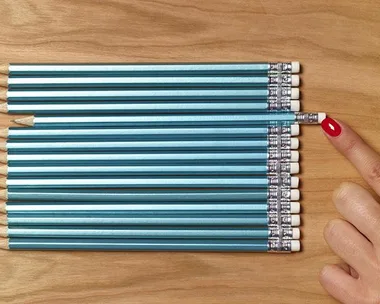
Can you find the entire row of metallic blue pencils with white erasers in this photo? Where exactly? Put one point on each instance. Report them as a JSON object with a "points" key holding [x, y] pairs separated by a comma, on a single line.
{"points": [[178, 157]]}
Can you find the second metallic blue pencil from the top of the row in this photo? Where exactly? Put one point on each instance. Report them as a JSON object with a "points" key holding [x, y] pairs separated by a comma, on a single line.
{"points": [[47, 83]]}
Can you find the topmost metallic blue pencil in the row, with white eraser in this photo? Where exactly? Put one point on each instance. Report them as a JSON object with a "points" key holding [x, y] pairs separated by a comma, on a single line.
{"points": [[133, 69]]}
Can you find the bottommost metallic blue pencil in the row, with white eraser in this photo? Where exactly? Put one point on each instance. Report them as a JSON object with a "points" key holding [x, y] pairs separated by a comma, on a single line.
{"points": [[150, 245]]}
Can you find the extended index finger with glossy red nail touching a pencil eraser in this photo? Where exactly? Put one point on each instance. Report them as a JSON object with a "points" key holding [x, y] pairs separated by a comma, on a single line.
{"points": [[364, 158]]}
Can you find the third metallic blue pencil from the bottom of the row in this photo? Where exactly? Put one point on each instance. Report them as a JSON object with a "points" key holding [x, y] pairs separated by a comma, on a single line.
{"points": [[257, 220]]}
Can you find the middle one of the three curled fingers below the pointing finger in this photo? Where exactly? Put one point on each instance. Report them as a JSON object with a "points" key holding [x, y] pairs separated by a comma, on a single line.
{"points": [[350, 245]]}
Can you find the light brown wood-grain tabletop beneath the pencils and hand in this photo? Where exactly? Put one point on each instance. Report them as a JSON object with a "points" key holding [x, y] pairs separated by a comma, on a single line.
{"points": [[338, 45]]}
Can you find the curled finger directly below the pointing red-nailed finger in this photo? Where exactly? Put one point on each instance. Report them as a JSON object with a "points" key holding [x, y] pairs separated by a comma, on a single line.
{"points": [[359, 207]]}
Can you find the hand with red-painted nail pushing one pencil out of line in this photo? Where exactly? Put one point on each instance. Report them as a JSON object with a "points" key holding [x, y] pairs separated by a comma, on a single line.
{"points": [[356, 239]]}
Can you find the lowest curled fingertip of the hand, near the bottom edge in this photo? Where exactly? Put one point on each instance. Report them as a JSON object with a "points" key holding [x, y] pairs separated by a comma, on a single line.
{"points": [[339, 284]]}
